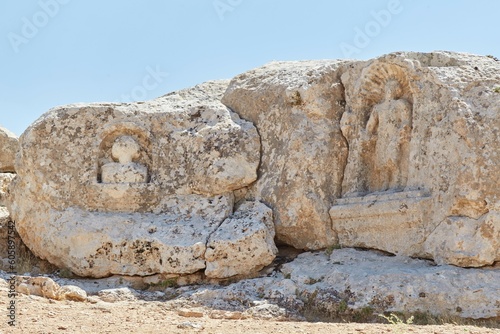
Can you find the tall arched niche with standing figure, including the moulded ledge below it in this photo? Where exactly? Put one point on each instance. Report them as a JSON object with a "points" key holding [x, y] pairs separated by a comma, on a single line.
{"points": [[378, 208]]}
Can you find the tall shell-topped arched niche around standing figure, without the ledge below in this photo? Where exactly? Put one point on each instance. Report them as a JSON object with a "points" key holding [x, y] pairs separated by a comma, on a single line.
{"points": [[377, 126]]}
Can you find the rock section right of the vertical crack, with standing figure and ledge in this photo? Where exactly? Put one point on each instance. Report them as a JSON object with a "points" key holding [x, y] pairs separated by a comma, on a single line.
{"points": [[421, 123]]}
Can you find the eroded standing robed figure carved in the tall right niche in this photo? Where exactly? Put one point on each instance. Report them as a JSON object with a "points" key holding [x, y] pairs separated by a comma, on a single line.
{"points": [[390, 126]]}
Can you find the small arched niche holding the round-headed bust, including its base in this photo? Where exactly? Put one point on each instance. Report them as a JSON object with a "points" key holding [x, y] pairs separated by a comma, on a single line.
{"points": [[124, 178]]}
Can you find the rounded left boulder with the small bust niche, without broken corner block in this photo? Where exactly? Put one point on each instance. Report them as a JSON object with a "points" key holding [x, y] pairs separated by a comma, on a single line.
{"points": [[132, 189]]}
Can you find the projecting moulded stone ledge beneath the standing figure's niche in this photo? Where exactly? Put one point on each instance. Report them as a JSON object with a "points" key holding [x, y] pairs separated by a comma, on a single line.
{"points": [[397, 221]]}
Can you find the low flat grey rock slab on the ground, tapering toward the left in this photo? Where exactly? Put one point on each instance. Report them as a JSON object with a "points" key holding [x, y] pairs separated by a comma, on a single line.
{"points": [[347, 279]]}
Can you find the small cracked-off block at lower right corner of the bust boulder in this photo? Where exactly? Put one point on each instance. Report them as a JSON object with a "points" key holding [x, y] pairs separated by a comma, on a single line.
{"points": [[244, 243]]}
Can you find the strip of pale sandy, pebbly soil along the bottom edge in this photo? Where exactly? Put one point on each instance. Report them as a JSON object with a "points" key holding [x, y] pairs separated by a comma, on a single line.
{"points": [[40, 315]]}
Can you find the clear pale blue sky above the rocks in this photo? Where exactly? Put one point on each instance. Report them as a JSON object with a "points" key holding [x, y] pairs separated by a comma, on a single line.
{"points": [[56, 52]]}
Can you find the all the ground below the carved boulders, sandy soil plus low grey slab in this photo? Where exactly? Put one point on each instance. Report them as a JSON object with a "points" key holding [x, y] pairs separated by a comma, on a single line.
{"points": [[287, 297]]}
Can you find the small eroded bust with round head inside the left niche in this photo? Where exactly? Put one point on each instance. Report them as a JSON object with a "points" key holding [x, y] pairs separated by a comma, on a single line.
{"points": [[125, 149]]}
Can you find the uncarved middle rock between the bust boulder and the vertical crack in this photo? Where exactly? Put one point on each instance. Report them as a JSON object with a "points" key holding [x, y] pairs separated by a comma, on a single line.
{"points": [[296, 107]]}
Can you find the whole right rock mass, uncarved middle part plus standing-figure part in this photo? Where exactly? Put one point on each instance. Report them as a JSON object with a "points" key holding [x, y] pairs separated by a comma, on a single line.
{"points": [[391, 147]]}
